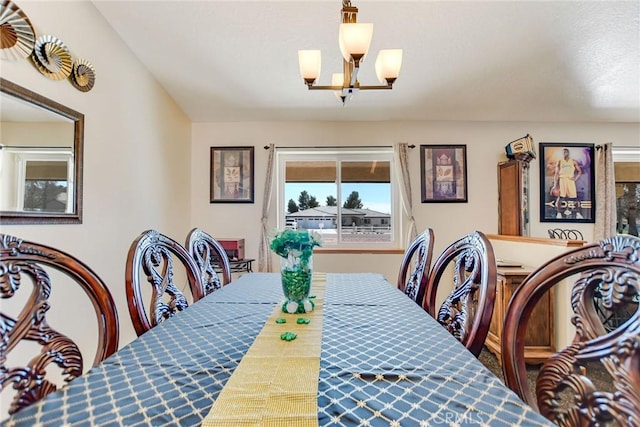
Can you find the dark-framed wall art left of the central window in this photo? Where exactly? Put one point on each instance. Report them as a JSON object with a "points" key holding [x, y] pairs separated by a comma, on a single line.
{"points": [[232, 179]]}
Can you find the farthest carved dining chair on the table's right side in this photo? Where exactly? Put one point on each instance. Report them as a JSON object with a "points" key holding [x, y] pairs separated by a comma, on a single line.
{"points": [[414, 269]]}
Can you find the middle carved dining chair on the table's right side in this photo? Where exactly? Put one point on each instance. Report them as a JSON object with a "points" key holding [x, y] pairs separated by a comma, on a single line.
{"points": [[466, 312]]}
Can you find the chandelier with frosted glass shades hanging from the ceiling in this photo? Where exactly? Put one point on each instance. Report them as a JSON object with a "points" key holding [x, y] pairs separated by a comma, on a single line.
{"points": [[354, 39]]}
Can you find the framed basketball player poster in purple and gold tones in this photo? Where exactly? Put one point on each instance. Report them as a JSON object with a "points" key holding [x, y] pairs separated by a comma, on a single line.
{"points": [[567, 182]]}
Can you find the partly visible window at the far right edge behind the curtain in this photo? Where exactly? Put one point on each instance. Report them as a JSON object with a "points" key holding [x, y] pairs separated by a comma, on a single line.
{"points": [[627, 174]]}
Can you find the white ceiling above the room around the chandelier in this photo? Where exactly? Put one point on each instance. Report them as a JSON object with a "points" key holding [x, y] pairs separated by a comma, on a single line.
{"points": [[463, 60]]}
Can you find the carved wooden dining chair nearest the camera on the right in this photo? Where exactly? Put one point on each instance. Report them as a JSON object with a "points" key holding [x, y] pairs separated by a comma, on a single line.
{"points": [[595, 380]]}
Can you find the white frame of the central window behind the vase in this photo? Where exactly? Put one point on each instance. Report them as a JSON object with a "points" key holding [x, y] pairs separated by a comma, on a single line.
{"points": [[340, 154]]}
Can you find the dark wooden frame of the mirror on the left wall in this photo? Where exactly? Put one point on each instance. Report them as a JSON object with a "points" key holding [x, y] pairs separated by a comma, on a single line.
{"points": [[75, 217]]}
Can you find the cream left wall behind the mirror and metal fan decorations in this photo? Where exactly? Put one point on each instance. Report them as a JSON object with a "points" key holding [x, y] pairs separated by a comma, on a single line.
{"points": [[136, 153]]}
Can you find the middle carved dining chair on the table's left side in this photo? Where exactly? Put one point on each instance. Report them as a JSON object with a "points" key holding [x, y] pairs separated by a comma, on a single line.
{"points": [[153, 253]]}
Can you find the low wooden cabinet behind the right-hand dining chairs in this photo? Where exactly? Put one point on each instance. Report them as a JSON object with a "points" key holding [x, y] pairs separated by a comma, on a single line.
{"points": [[539, 337]]}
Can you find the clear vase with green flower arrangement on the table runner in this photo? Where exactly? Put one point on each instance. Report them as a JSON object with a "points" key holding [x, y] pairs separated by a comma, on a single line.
{"points": [[295, 248]]}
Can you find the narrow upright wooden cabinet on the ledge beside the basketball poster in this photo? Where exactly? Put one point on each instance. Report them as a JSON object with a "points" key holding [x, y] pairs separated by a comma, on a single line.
{"points": [[513, 198]]}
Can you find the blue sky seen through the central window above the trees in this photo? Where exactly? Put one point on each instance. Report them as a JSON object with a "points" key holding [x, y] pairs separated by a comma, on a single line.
{"points": [[374, 196]]}
